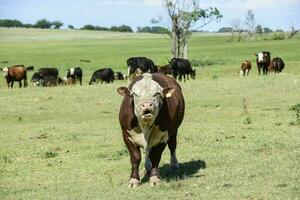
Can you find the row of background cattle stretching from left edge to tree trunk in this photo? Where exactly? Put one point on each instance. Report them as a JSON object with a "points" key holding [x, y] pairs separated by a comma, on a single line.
{"points": [[46, 77]]}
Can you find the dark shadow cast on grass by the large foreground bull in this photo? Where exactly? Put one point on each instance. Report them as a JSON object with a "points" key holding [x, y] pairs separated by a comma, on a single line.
{"points": [[186, 170]]}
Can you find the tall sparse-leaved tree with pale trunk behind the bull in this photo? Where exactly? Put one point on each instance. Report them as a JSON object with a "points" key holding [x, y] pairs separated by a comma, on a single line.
{"points": [[184, 14]]}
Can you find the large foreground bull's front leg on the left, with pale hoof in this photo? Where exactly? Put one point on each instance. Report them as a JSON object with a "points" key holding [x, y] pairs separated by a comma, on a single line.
{"points": [[135, 159]]}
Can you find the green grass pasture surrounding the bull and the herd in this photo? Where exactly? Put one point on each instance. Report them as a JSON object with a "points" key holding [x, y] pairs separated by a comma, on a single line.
{"points": [[239, 138]]}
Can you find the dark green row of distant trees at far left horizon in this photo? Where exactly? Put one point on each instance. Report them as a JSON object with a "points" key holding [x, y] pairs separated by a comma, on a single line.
{"points": [[43, 23]]}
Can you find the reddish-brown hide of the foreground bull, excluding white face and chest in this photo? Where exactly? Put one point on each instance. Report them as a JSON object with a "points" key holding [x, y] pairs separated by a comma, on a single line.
{"points": [[168, 120]]}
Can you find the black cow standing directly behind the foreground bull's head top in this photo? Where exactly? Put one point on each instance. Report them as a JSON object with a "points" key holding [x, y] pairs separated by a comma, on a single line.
{"points": [[142, 63]]}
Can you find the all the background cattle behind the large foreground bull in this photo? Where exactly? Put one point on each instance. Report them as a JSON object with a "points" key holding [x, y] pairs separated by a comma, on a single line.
{"points": [[178, 68]]}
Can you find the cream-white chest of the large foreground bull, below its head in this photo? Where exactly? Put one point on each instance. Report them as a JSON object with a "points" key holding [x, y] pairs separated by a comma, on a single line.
{"points": [[148, 137]]}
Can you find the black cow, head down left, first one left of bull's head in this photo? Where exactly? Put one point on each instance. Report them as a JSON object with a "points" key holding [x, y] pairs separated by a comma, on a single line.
{"points": [[104, 75]]}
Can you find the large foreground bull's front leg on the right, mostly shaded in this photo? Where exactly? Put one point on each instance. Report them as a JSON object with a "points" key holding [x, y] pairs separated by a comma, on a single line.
{"points": [[155, 156]]}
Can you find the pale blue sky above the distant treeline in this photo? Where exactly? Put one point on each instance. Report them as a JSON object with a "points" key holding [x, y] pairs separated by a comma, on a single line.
{"points": [[275, 14]]}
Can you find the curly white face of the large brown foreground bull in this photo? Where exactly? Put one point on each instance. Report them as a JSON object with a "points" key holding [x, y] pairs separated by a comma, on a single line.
{"points": [[147, 96]]}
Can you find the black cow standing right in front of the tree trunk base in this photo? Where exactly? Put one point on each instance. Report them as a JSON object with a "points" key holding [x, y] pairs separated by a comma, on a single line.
{"points": [[182, 67]]}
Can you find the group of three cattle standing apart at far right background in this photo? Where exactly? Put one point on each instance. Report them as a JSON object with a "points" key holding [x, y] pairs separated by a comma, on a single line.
{"points": [[264, 64]]}
